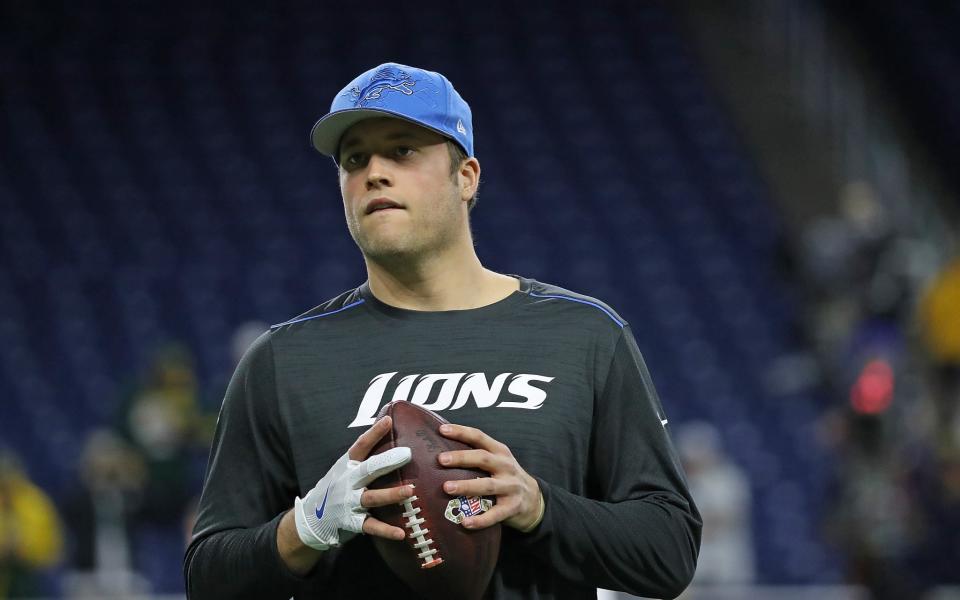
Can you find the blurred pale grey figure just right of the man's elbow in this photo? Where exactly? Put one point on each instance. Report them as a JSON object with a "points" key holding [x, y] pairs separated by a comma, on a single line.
{"points": [[722, 493]]}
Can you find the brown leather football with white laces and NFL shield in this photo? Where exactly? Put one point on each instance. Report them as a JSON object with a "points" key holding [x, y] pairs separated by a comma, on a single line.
{"points": [[439, 559]]}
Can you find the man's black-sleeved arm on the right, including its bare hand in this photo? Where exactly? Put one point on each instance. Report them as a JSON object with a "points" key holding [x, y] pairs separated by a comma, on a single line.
{"points": [[639, 531]]}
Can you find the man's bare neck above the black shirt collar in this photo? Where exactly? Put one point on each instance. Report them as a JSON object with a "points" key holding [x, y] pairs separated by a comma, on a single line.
{"points": [[436, 285]]}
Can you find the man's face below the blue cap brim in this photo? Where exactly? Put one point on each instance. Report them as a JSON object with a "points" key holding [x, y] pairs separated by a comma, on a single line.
{"points": [[399, 198]]}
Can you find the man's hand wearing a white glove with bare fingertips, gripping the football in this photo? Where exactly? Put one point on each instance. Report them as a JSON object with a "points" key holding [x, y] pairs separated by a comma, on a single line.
{"points": [[336, 509]]}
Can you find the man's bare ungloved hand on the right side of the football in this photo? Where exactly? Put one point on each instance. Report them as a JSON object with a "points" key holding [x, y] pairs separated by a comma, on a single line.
{"points": [[519, 500]]}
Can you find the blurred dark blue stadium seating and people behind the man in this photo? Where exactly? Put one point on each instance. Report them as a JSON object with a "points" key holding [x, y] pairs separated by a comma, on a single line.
{"points": [[765, 191]]}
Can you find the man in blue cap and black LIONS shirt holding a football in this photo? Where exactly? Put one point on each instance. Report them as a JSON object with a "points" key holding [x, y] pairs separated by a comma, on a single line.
{"points": [[546, 384]]}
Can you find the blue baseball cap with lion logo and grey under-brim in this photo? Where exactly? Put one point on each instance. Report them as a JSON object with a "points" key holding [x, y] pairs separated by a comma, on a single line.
{"points": [[425, 98]]}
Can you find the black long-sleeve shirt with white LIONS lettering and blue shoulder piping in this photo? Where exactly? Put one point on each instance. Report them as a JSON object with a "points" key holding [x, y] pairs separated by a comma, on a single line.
{"points": [[554, 375]]}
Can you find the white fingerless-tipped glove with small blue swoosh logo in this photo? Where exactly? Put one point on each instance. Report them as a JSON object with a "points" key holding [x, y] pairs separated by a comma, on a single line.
{"points": [[330, 513]]}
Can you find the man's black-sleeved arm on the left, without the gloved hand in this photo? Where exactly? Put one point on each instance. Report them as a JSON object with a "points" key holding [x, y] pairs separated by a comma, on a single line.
{"points": [[248, 487]]}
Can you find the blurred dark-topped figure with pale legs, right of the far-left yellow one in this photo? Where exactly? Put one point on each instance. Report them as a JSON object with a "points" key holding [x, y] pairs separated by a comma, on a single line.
{"points": [[98, 512]]}
